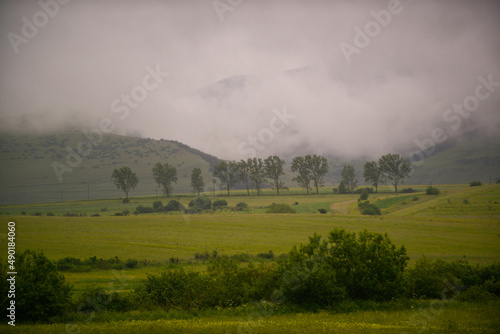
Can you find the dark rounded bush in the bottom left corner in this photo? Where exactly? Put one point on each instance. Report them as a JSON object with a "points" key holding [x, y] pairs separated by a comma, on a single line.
{"points": [[41, 292]]}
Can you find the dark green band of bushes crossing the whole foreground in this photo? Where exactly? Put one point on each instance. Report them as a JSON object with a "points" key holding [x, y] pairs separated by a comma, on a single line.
{"points": [[345, 268]]}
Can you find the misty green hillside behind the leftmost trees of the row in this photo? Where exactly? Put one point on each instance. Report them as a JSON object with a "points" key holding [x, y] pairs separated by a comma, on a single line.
{"points": [[27, 174]]}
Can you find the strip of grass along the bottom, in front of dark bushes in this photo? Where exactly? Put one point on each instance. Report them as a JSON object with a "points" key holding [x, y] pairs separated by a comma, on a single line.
{"points": [[438, 317]]}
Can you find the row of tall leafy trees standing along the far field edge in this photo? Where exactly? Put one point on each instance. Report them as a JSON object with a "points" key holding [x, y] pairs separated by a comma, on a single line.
{"points": [[256, 173]]}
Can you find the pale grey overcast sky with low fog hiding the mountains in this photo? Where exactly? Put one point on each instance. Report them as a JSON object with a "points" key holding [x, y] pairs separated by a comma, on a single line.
{"points": [[345, 93]]}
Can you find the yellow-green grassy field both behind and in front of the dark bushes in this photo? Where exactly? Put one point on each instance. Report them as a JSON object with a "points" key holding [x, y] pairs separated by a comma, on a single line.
{"points": [[461, 222]]}
